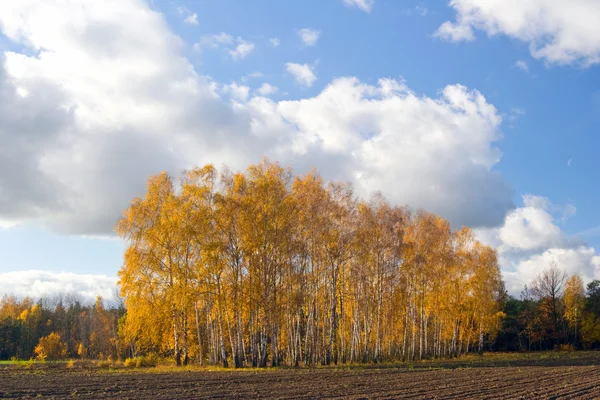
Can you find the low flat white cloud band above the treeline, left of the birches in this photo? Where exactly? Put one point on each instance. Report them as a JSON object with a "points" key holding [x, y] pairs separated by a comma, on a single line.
{"points": [[39, 284]]}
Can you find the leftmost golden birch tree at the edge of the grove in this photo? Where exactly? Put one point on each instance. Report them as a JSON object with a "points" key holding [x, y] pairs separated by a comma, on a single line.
{"points": [[156, 260]]}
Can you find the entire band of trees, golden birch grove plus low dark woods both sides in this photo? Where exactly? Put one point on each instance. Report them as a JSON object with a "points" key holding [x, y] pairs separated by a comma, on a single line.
{"points": [[262, 268]]}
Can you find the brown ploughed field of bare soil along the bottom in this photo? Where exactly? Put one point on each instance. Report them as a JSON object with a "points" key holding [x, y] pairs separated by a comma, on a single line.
{"points": [[520, 379]]}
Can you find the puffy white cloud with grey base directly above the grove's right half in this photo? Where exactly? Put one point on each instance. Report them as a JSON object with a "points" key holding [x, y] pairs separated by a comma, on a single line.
{"points": [[419, 151]]}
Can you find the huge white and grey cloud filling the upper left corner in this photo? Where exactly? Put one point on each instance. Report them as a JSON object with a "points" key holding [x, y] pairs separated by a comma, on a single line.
{"points": [[106, 84]]}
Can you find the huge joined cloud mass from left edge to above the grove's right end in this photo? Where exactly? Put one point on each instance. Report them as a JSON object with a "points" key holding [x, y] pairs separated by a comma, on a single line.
{"points": [[101, 97]]}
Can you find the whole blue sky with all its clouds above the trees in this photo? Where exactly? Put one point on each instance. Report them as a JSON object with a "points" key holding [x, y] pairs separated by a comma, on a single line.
{"points": [[483, 111]]}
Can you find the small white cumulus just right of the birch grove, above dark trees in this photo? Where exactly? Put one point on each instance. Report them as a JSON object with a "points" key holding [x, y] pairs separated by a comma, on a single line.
{"points": [[530, 241]]}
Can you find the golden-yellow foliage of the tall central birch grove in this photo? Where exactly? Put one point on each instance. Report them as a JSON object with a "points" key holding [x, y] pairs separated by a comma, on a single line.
{"points": [[257, 253]]}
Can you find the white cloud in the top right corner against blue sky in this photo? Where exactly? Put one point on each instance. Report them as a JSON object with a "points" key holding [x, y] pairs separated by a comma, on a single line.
{"points": [[557, 31]]}
